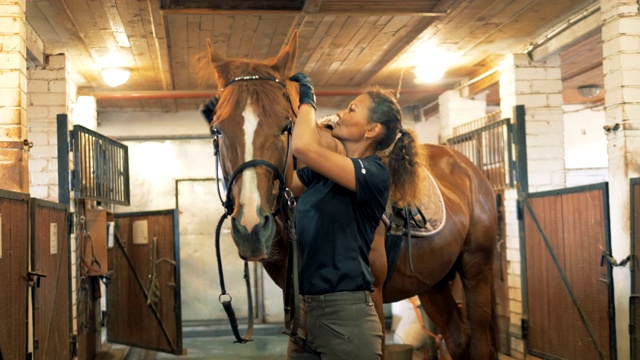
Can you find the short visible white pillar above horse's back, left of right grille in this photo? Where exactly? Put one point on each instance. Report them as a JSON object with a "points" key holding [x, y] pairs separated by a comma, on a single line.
{"points": [[455, 110]]}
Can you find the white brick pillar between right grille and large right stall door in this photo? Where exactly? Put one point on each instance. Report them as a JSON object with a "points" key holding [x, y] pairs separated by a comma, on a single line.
{"points": [[537, 86]]}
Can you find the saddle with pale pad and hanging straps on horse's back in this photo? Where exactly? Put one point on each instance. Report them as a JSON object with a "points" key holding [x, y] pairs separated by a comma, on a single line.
{"points": [[426, 219]]}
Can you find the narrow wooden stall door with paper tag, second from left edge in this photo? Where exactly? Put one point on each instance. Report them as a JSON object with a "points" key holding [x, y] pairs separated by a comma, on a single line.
{"points": [[51, 301]]}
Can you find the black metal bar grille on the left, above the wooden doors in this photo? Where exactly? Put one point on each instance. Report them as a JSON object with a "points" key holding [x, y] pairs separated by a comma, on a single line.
{"points": [[101, 167]]}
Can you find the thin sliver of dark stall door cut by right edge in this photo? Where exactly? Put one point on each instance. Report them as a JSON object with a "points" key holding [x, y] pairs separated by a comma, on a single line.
{"points": [[635, 278]]}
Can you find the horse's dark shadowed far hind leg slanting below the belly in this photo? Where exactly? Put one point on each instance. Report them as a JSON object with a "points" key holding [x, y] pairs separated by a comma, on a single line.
{"points": [[442, 308]]}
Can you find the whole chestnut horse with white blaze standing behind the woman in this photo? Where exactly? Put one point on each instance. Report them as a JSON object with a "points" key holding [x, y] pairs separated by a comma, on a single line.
{"points": [[253, 117]]}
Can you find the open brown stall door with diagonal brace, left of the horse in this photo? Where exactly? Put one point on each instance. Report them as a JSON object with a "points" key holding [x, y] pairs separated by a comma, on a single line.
{"points": [[143, 297]]}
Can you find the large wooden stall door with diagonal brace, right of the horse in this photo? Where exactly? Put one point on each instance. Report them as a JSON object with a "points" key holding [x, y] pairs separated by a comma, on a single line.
{"points": [[575, 223]]}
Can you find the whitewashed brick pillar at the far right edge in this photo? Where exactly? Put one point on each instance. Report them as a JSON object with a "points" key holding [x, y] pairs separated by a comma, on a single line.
{"points": [[621, 66]]}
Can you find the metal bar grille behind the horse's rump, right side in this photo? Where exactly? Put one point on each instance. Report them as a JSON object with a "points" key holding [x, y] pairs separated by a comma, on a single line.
{"points": [[487, 142]]}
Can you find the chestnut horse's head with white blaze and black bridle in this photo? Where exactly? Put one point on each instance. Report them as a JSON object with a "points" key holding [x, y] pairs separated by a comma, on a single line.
{"points": [[253, 119]]}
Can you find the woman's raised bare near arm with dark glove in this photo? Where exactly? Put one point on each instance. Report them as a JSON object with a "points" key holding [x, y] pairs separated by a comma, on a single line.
{"points": [[306, 144]]}
